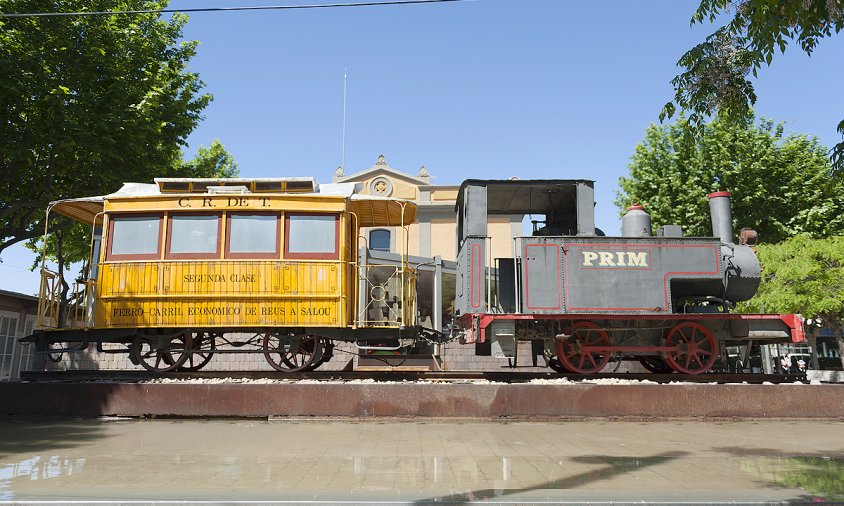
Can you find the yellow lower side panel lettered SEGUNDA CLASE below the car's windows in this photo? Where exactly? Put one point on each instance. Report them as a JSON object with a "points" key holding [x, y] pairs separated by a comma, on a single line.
{"points": [[221, 294]]}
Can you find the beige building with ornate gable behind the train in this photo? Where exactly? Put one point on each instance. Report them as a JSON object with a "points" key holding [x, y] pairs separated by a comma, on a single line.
{"points": [[435, 230]]}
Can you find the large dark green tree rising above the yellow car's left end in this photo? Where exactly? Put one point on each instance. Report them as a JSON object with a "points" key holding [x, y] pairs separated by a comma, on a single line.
{"points": [[88, 102]]}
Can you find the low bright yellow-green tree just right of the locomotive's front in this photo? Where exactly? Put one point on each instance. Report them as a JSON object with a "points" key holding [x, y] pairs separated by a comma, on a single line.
{"points": [[803, 275]]}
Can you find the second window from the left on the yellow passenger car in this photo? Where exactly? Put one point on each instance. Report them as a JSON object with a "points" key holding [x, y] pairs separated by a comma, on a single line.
{"points": [[193, 236]]}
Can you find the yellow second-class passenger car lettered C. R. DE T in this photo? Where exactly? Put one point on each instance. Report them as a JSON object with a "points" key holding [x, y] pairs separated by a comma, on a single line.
{"points": [[186, 268]]}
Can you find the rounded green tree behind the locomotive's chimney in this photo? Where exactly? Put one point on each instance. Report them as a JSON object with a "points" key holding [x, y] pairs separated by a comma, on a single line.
{"points": [[781, 185]]}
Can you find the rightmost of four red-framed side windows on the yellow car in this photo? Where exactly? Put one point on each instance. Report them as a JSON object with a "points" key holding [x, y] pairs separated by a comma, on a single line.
{"points": [[311, 236]]}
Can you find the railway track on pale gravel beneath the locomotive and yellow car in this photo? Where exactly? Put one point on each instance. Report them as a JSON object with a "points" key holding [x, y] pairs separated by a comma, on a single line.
{"points": [[400, 376]]}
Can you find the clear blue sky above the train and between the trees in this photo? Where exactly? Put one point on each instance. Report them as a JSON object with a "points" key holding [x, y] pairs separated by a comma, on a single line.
{"points": [[479, 89]]}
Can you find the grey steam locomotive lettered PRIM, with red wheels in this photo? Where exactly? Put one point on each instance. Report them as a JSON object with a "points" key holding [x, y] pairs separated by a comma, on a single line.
{"points": [[584, 299]]}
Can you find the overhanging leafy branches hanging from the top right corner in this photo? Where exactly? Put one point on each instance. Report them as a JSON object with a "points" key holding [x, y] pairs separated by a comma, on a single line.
{"points": [[716, 71]]}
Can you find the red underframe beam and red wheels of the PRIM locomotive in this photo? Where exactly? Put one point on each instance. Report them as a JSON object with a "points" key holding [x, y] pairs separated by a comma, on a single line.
{"points": [[690, 347]]}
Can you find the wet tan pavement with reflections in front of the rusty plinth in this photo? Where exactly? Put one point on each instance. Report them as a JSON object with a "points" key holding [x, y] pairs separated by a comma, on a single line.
{"points": [[421, 462]]}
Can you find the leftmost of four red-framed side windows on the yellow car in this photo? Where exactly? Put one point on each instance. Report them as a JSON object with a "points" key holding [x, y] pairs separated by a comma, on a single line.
{"points": [[134, 237]]}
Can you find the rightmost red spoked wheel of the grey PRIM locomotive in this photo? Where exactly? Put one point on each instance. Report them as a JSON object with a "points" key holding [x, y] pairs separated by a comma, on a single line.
{"points": [[695, 348]]}
